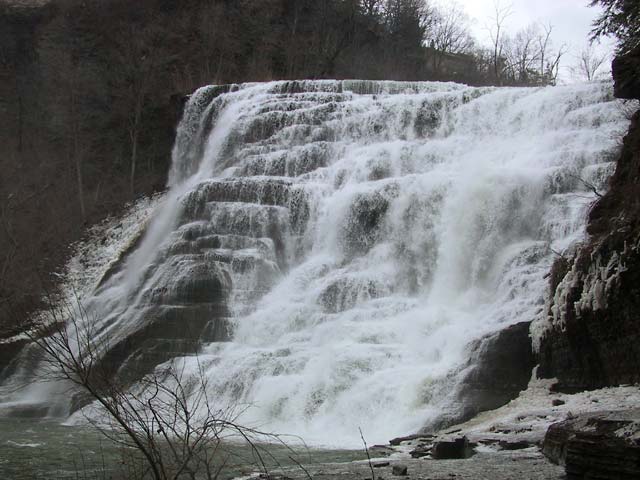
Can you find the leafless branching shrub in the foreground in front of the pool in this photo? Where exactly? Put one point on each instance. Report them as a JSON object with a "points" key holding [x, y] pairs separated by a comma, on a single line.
{"points": [[167, 419]]}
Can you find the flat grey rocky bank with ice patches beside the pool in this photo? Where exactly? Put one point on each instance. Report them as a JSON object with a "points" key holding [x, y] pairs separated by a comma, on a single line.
{"points": [[503, 444]]}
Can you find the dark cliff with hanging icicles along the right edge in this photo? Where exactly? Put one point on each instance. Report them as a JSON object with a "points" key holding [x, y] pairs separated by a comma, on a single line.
{"points": [[592, 339]]}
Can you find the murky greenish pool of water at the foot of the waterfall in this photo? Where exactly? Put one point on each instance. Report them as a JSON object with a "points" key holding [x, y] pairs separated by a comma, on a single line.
{"points": [[46, 449]]}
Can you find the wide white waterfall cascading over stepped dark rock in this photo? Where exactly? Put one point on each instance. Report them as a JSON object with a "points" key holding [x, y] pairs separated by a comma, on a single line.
{"points": [[336, 245]]}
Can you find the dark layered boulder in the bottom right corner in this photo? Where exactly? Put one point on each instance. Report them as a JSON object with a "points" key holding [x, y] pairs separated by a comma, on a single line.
{"points": [[604, 446]]}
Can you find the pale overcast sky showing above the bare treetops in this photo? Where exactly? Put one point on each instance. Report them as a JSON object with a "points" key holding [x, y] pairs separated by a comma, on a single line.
{"points": [[571, 20]]}
